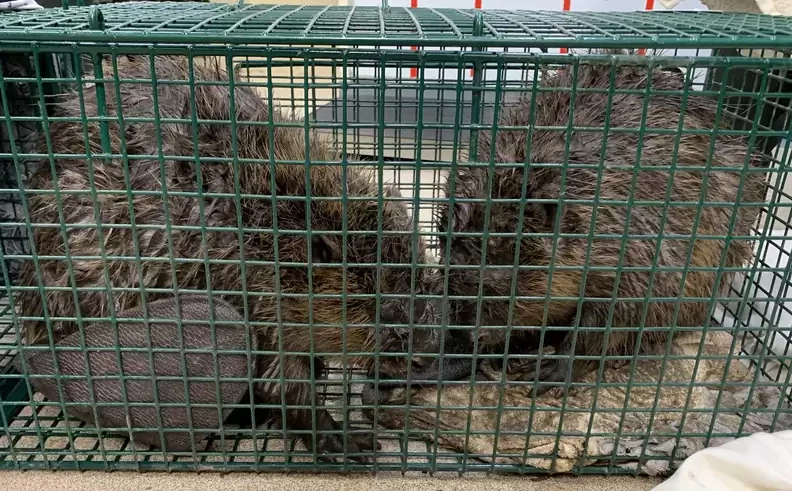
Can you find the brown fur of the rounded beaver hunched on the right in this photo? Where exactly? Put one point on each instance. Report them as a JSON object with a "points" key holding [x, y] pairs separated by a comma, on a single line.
{"points": [[585, 147]]}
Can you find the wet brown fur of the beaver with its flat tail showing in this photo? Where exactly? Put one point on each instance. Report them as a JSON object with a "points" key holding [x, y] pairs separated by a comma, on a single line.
{"points": [[213, 102]]}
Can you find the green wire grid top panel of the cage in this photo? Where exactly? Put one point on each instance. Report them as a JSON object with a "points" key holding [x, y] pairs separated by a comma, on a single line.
{"points": [[200, 22]]}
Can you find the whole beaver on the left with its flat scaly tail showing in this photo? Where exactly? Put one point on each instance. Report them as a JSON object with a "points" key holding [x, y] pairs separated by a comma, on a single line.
{"points": [[276, 295]]}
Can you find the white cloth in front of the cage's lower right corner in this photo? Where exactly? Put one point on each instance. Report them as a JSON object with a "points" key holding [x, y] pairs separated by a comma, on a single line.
{"points": [[761, 461]]}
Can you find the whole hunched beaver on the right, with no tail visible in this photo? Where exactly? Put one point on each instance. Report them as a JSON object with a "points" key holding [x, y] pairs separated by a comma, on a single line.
{"points": [[630, 241]]}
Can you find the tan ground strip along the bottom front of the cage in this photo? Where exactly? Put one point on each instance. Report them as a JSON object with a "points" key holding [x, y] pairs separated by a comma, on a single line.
{"points": [[68, 481]]}
